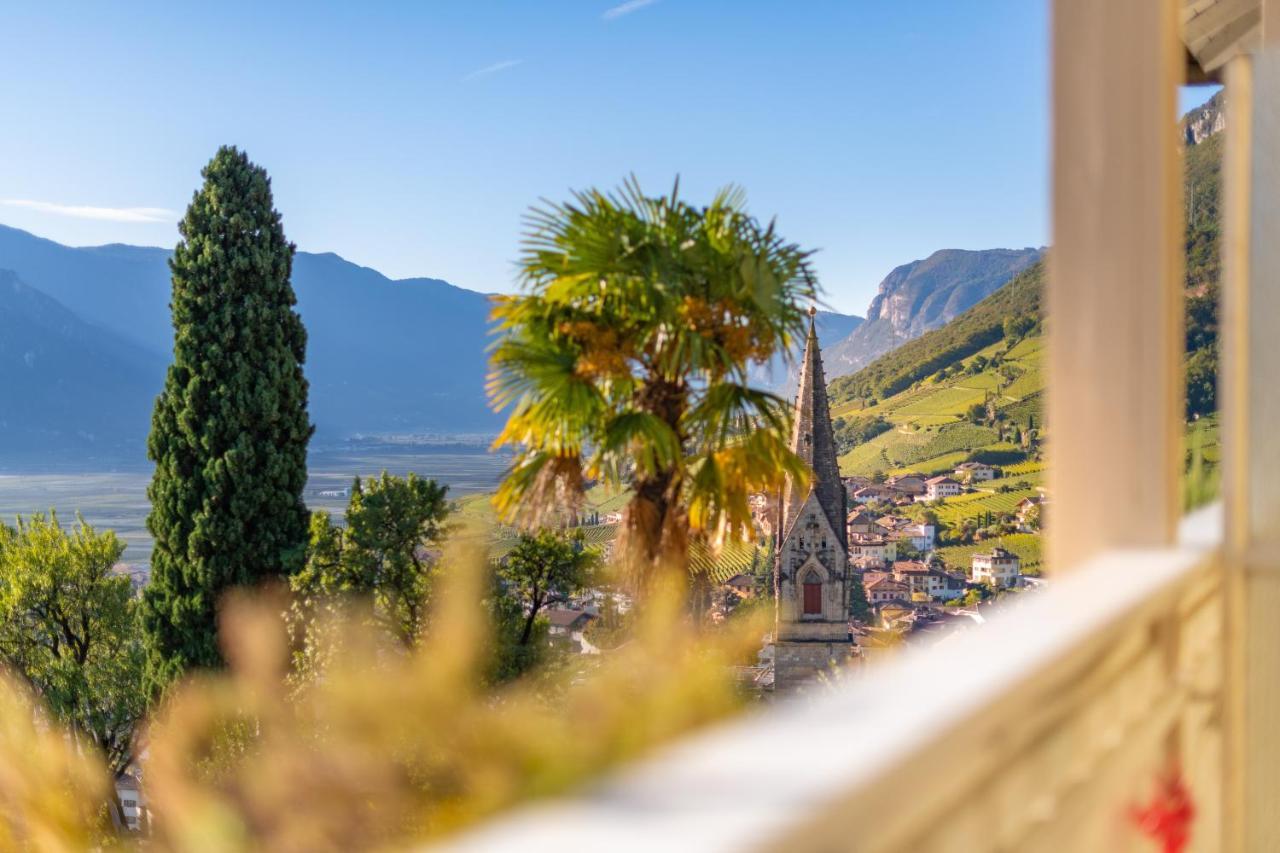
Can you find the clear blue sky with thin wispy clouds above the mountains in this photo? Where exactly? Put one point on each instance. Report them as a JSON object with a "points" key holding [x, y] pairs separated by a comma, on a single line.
{"points": [[412, 138]]}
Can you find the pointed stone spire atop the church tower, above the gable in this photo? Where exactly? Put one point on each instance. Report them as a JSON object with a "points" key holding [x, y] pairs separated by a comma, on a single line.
{"points": [[813, 440]]}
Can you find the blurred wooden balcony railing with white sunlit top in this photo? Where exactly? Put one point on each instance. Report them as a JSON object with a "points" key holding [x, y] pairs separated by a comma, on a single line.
{"points": [[1058, 719]]}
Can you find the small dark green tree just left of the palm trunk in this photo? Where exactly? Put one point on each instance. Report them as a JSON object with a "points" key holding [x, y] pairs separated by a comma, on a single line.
{"points": [[542, 567]]}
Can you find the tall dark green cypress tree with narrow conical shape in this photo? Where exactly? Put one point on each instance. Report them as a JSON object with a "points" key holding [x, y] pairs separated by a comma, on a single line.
{"points": [[230, 431]]}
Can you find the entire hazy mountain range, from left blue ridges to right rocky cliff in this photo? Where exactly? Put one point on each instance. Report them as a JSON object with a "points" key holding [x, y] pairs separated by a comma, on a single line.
{"points": [[85, 339]]}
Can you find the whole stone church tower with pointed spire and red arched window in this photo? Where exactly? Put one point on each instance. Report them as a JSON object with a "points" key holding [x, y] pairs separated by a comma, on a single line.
{"points": [[812, 571]]}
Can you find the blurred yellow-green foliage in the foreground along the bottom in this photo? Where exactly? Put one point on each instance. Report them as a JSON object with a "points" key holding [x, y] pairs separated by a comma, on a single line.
{"points": [[394, 745]]}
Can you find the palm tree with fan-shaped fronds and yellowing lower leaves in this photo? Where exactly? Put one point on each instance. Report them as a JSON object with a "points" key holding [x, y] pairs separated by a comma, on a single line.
{"points": [[625, 359]]}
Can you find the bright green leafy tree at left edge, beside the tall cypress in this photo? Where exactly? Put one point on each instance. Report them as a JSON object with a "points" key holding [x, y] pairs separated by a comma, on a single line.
{"points": [[70, 628]]}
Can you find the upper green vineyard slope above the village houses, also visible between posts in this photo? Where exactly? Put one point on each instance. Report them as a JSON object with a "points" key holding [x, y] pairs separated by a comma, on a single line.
{"points": [[907, 409]]}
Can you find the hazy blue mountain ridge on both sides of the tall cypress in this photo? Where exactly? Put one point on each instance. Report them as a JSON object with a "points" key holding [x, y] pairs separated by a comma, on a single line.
{"points": [[383, 355]]}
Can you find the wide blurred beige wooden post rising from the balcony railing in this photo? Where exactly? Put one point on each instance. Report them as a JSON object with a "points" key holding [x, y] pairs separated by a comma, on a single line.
{"points": [[1116, 280]]}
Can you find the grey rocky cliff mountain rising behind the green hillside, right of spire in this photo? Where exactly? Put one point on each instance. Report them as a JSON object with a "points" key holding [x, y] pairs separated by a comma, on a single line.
{"points": [[922, 297]]}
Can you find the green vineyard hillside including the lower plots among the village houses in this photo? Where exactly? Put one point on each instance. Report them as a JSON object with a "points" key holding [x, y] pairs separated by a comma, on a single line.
{"points": [[973, 390]]}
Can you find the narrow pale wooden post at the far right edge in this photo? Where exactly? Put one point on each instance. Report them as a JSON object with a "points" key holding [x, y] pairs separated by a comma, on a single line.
{"points": [[1251, 462]]}
